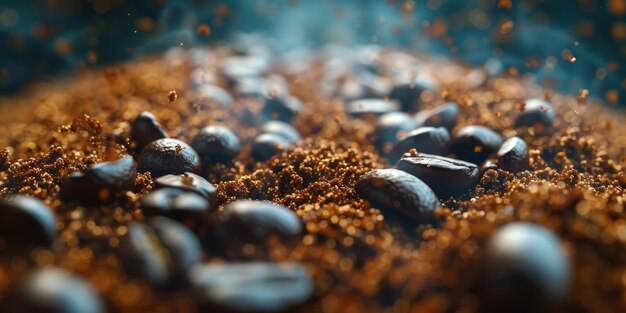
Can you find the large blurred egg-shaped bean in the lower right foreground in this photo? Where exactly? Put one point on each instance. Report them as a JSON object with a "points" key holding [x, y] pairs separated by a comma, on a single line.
{"points": [[526, 270]]}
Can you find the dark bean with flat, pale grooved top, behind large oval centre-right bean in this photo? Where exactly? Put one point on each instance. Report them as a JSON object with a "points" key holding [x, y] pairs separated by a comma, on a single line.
{"points": [[445, 176]]}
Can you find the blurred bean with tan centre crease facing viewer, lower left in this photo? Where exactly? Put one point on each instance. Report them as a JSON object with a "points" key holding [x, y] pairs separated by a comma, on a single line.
{"points": [[160, 251]]}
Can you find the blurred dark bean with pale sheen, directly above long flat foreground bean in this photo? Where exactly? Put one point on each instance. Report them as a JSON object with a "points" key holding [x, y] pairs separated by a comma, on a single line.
{"points": [[253, 222]]}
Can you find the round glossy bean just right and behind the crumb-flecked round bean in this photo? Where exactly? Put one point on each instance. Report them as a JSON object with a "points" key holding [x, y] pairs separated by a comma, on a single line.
{"points": [[216, 144]]}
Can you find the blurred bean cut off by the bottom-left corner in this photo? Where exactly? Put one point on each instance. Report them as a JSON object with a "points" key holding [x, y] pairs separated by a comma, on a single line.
{"points": [[53, 290]]}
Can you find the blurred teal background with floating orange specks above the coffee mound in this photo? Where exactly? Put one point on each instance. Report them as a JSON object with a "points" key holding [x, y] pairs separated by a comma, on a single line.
{"points": [[567, 45]]}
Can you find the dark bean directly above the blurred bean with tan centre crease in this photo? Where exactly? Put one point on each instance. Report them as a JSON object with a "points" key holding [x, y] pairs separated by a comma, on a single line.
{"points": [[188, 208]]}
